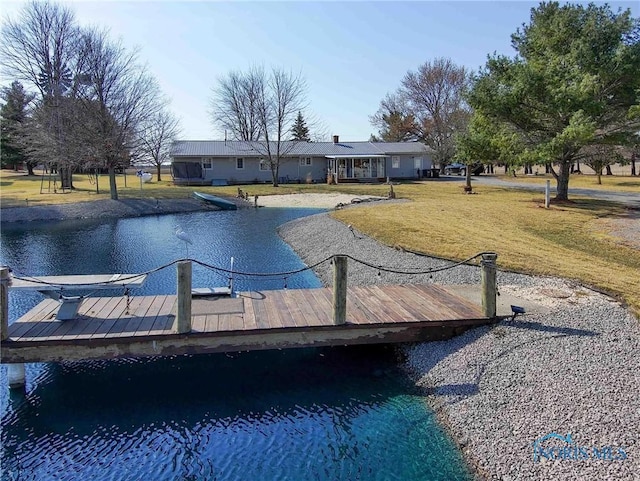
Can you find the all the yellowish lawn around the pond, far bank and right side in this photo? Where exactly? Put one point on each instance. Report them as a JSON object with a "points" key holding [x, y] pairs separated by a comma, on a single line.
{"points": [[566, 240]]}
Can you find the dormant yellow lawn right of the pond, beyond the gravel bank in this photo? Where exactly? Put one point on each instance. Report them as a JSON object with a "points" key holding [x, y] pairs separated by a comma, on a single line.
{"points": [[565, 240]]}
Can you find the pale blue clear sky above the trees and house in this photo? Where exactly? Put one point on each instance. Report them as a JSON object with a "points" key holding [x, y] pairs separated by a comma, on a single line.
{"points": [[351, 54]]}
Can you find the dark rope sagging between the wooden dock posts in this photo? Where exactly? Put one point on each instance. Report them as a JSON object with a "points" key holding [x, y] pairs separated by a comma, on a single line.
{"points": [[285, 274]]}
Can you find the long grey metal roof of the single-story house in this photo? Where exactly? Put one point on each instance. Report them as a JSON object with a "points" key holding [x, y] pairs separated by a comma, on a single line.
{"points": [[235, 148]]}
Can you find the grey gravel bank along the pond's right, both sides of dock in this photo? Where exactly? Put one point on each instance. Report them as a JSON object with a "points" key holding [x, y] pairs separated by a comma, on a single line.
{"points": [[570, 367]]}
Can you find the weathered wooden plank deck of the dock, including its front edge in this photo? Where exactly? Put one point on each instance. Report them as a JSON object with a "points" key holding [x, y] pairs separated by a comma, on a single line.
{"points": [[107, 328]]}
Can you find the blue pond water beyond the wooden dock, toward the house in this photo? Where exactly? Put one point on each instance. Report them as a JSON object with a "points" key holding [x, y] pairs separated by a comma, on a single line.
{"points": [[142, 244]]}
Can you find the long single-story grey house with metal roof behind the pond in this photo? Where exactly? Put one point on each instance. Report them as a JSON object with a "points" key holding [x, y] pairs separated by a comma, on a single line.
{"points": [[207, 162]]}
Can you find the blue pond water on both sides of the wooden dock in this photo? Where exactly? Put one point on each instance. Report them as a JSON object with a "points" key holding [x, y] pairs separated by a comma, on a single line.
{"points": [[317, 414]]}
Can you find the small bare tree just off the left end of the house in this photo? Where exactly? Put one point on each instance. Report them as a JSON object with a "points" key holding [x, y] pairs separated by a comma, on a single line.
{"points": [[155, 138]]}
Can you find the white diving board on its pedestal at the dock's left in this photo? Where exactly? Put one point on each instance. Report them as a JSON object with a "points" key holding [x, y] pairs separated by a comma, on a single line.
{"points": [[54, 287]]}
